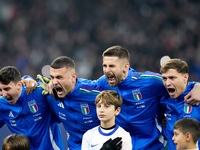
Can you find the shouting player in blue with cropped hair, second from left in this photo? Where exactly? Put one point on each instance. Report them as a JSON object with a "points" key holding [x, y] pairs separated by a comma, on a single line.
{"points": [[76, 110]]}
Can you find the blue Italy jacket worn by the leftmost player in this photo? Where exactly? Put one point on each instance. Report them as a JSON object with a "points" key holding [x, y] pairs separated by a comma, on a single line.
{"points": [[31, 116]]}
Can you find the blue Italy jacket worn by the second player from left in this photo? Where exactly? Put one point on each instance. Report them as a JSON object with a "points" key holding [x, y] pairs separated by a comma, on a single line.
{"points": [[77, 112]]}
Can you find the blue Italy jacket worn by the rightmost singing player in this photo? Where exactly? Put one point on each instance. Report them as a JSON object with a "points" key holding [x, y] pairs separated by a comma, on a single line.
{"points": [[177, 109]]}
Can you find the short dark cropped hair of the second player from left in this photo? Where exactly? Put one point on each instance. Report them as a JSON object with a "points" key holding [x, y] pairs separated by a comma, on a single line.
{"points": [[63, 61]]}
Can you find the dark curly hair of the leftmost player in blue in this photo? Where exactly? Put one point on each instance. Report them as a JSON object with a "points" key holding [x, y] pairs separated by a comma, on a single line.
{"points": [[9, 74]]}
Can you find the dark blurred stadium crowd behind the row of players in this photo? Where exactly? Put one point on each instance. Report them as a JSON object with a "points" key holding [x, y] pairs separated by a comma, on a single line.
{"points": [[34, 32]]}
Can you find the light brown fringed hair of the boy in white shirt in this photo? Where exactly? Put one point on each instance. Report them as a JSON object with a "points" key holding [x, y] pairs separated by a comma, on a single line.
{"points": [[109, 97]]}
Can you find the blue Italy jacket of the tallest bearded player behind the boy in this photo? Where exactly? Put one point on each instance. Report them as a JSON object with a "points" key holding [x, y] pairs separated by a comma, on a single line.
{"points": [[141, 93]]}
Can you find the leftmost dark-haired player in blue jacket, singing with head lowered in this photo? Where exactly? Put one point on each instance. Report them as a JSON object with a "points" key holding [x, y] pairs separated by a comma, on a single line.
{"points": [[25, 114]]}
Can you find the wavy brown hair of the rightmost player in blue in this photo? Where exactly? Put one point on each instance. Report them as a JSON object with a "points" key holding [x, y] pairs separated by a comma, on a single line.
{"points": [[178, 64]]}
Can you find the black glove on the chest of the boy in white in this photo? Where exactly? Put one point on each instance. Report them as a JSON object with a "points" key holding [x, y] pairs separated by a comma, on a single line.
{"points": [[115, 144]]}
